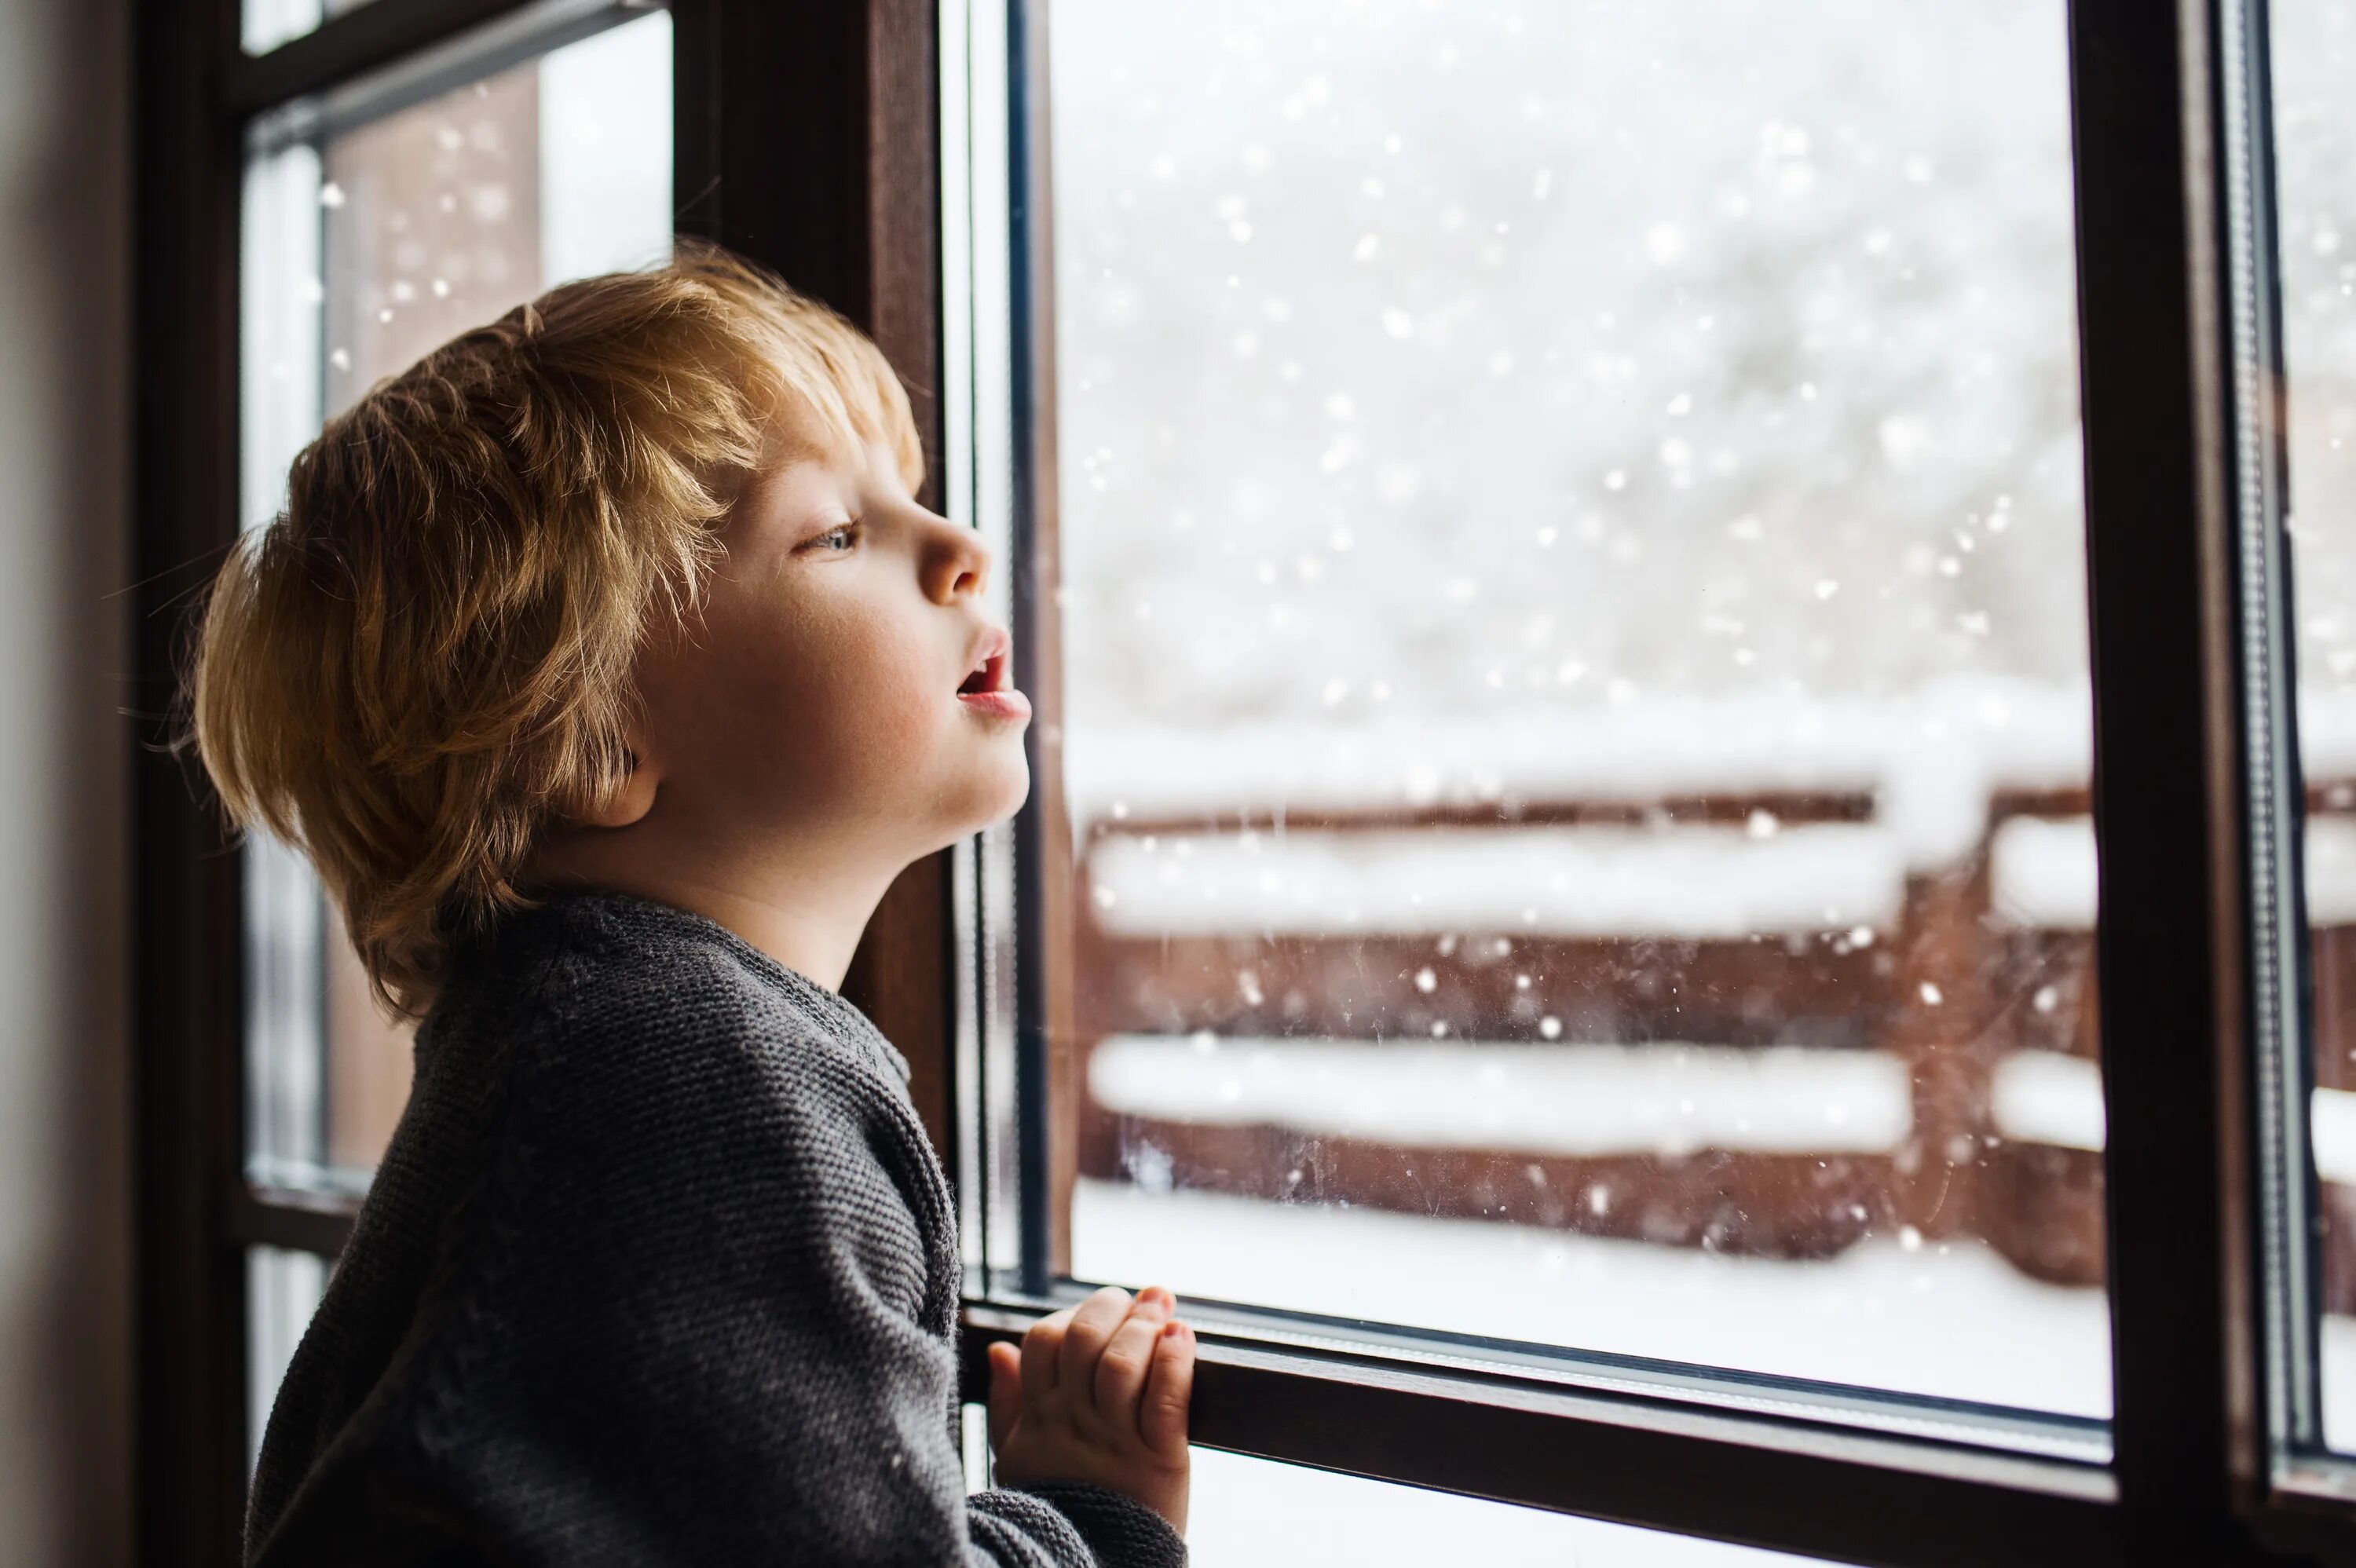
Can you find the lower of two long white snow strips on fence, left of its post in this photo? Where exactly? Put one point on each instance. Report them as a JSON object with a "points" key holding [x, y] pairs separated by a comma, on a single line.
{"points": [[1657, 1098]]}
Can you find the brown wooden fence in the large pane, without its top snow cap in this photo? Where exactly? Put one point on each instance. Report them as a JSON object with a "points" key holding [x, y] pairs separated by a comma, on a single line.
{"points": [[1738, 1023]]}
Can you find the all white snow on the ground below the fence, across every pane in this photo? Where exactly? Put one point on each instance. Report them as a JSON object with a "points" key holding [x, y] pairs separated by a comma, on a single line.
{"points": [[1940, 1320]]}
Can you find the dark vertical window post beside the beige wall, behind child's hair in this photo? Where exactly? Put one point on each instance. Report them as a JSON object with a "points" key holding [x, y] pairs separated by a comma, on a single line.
{"points": [[187, 917]]}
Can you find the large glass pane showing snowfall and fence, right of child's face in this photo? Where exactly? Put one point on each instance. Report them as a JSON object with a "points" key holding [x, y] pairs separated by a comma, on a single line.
{"points": [[1575, 693]]}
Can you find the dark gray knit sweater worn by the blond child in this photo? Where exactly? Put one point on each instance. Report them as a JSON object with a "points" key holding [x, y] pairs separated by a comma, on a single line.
{"points": [[659, 1270]]}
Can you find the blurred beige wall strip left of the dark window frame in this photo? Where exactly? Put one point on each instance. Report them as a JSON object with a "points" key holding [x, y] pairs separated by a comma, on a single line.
{"points": [[65, 295]]}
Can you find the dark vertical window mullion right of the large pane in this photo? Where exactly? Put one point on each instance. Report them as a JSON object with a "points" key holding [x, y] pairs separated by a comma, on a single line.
{"points": [[2171, 948]]}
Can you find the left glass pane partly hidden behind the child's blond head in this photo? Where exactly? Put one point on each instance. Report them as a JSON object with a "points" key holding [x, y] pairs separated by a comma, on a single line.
{"points": [[364, 251]]}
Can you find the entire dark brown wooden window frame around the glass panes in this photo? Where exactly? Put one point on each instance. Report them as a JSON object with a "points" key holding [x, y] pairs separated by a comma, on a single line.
{"points": [[854, 218]]}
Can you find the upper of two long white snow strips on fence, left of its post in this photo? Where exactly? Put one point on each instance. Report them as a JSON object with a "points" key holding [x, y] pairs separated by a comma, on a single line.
{"points": [[1563, 882]]}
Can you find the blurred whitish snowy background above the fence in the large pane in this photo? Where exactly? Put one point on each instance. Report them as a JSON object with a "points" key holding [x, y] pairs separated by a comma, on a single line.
{"points": [[1441, 359]]}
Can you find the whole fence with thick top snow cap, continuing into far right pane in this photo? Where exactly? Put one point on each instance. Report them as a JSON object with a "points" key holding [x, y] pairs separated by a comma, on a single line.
{"points": [[1749, 976]]}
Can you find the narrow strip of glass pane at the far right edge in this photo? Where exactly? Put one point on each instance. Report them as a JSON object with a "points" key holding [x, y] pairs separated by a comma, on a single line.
{"points": [[2315, 142]]}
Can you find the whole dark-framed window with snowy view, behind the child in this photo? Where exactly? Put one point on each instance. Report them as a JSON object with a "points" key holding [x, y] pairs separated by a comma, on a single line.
{"points": [[1634, 611]]}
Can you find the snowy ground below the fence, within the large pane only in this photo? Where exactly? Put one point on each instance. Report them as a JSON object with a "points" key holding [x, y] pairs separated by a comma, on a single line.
{"points": [[1950, 1320]]}
